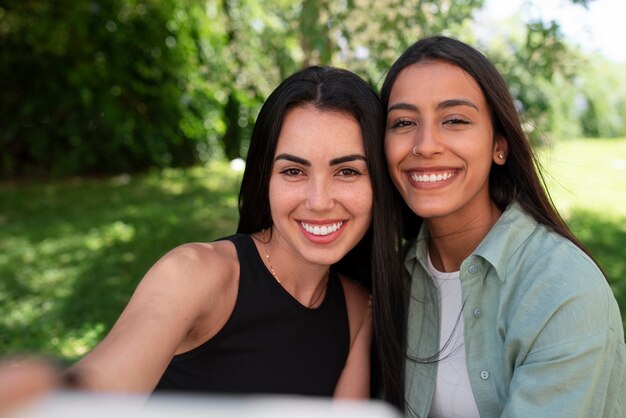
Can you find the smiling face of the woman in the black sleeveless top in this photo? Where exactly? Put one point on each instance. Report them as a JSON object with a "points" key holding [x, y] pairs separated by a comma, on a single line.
{"points": [[320, 191]]}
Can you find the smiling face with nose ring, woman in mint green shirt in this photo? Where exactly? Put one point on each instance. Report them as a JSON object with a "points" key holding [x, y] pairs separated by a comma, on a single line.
{"points": [[439, 142]]}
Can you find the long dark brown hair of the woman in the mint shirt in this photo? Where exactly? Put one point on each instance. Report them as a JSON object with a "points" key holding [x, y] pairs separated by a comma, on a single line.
{"points": [[518, 180]]}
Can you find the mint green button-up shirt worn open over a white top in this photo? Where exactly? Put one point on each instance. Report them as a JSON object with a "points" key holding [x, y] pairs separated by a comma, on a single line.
{"points": [[543, 332]]}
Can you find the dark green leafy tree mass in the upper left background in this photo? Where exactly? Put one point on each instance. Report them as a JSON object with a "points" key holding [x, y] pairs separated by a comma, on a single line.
{"points": [[103, 86]]}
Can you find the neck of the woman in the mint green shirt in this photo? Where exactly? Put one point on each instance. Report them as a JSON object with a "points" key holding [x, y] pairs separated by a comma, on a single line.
{"points": [[451, 241]]}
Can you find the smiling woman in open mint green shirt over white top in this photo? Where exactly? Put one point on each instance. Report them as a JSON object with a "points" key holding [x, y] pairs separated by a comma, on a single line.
{"points": [[507, 314]]}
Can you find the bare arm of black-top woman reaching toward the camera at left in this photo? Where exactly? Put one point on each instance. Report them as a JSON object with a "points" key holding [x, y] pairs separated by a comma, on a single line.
{"points": [[191, 285]]}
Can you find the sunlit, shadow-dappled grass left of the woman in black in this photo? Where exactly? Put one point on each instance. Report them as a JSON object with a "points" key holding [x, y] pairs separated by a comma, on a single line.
{"points": [[72, 251]]}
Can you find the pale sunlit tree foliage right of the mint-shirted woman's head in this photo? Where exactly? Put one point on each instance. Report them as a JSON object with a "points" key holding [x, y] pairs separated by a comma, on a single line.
{"points": [[561, 92]]}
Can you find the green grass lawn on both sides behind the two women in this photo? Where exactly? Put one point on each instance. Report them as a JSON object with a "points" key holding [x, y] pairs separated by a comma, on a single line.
{"points": [[72, 251]]}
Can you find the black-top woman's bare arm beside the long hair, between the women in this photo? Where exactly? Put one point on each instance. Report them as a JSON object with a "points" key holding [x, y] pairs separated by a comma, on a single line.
{"points": [[354, 382]]}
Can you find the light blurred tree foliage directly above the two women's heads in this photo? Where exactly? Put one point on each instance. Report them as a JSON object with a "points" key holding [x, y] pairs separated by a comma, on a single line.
{"points": [[268, 40]]}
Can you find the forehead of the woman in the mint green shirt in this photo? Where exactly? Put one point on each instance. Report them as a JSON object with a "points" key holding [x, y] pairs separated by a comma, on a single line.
{"points": [[434, 81]]}
